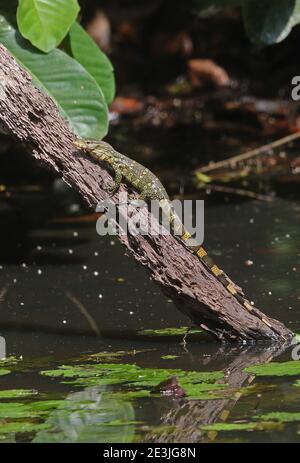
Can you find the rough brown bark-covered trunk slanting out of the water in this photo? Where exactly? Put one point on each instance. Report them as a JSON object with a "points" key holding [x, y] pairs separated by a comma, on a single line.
{"points": [[32, 117]]}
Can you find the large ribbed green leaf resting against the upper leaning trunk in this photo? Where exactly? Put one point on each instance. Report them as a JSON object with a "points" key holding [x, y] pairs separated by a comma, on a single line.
{"points": [[73, 89]]}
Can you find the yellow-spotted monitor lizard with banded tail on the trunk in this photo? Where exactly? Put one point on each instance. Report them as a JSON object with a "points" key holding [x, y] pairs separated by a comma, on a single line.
{"points": [[150, 188]]}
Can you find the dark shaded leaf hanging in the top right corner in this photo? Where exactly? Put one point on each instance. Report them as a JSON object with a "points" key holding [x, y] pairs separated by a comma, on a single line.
{"points": [[269, 22]]}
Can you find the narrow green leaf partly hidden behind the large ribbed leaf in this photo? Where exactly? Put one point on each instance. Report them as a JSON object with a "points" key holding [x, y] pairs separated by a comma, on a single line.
{"points": [[89, 55]]}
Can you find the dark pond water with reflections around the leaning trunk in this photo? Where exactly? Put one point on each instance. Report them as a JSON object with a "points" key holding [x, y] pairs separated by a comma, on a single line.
{"points": [[68, 293]]}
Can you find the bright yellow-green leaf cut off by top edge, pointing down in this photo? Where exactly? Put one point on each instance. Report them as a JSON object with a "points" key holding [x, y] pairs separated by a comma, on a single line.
{"points": [[46, 22]]}
